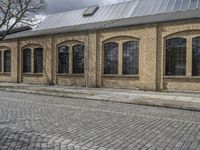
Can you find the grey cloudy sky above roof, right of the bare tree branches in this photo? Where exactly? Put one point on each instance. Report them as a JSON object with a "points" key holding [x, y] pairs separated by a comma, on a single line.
{"points": [[55, 6]]}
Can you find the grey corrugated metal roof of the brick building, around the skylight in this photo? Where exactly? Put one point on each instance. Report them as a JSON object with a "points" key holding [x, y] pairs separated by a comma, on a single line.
{"points": [[121, 14]]}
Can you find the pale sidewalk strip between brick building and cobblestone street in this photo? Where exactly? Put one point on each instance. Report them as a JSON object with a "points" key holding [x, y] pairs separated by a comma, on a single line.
{"points": [[188, 101]]}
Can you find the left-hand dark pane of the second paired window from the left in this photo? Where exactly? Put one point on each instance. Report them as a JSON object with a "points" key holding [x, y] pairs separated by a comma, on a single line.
{"points": [[27, 60]]}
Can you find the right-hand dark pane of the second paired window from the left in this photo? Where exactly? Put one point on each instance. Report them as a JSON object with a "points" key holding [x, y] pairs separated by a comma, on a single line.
{"points": [[38, 60]]}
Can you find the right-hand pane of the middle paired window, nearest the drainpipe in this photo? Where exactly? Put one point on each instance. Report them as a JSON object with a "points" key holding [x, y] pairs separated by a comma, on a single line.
{"points": [[78, 59]]}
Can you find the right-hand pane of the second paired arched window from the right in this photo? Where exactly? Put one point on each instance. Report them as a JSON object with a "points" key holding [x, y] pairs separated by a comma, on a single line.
{"points": [[131, 58]]}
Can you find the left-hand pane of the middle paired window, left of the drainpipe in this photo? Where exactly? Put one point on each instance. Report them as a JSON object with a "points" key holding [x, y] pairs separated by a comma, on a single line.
{"points": [[63, 59]]}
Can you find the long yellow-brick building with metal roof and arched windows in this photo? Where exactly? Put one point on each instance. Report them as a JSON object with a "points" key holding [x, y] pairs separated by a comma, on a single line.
{"points": [[139, 44]]}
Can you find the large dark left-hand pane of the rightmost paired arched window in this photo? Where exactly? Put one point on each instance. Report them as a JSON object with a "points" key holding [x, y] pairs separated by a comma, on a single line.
{"points": [[176, 56]]}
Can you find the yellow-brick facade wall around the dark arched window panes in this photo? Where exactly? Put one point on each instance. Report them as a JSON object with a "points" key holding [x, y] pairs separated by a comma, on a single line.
{"points": [[151, 58]]}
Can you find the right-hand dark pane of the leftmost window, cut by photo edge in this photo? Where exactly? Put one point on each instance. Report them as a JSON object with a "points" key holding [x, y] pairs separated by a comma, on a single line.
{"points": [[7, 61]]}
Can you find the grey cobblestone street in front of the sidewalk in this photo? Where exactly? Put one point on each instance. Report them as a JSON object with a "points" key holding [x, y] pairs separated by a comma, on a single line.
{"points": [[43, 122]]}
